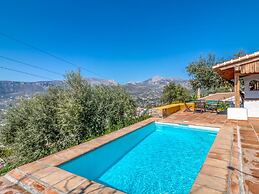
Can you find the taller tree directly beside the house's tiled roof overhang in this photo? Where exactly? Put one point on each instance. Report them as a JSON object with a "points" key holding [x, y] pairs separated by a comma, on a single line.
{"points": [[203, 76]]}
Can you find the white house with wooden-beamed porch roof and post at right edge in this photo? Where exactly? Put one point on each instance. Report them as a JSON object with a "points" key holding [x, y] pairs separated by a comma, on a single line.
{"points": [[246, 68]]}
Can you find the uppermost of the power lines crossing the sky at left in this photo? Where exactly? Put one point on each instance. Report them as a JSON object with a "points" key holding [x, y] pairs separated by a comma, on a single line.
{"points": [[47, 53]]}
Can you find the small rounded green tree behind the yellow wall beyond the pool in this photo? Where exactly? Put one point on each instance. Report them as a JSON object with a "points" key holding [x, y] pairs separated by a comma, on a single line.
{"points": [[175, 93]]}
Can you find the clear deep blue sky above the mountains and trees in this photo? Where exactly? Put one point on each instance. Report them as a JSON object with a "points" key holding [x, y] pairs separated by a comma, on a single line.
{"points": [[129, 40]]}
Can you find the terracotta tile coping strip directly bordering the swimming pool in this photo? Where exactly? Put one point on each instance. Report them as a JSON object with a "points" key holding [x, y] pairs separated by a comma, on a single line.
{"points": [[43, 175]]}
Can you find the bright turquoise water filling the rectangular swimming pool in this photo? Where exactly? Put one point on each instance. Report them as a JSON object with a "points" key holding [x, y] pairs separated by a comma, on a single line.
{"points": [[157, 158]]}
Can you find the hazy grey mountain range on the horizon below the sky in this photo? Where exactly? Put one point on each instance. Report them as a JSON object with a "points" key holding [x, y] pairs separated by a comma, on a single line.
{"points": [[147, 92]]}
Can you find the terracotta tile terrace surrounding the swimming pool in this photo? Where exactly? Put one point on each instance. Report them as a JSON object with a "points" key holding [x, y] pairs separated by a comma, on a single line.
{"points": [[232, 165]]}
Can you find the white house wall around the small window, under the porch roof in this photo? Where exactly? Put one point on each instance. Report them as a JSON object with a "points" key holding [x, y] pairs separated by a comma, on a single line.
{"points": [[251, 97]]}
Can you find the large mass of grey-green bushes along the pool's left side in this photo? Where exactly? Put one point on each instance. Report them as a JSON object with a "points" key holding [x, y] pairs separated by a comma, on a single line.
{"points": [[63, 117]]}
